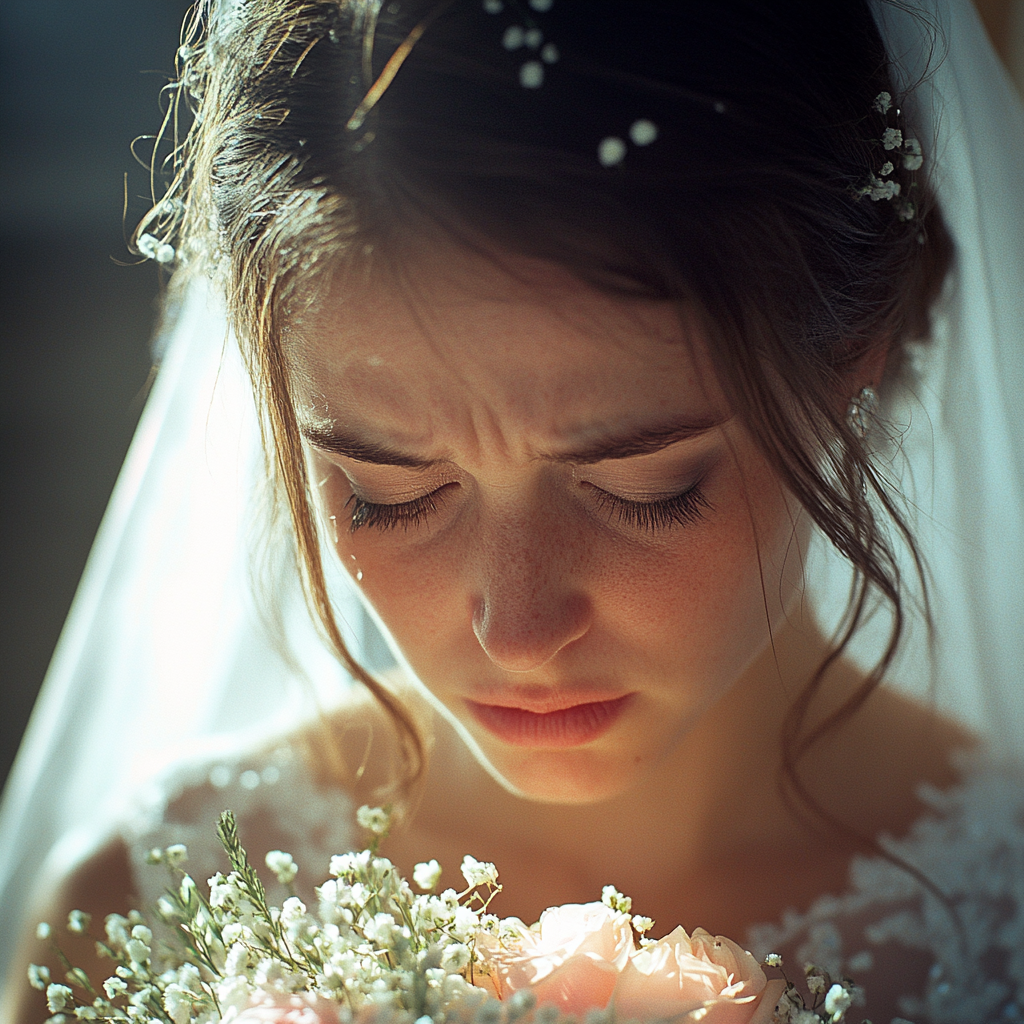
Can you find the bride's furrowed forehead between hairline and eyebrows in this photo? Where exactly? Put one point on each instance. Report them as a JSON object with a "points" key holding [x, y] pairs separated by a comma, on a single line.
{"points": [[456, 337]]}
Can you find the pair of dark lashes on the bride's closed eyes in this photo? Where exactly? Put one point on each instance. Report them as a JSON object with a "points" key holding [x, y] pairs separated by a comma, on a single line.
{"points": [[679, 510]]}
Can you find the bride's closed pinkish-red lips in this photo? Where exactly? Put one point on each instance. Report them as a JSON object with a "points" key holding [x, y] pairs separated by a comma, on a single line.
{"points": [[573, 726]]}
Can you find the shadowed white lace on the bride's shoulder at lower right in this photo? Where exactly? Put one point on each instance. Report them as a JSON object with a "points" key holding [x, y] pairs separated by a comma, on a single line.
{"points": [[914, 956]]}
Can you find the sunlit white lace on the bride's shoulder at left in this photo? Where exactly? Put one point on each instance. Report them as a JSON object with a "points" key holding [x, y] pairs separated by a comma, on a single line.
{"points": [[277, 804]]}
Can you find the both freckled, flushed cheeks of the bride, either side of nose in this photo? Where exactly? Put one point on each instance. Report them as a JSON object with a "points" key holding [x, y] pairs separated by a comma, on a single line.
{"points": [[687, 607]]}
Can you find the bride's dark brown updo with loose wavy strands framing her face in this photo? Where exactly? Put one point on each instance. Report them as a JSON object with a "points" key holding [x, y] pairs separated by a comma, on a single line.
{"points": [[329, 130]]}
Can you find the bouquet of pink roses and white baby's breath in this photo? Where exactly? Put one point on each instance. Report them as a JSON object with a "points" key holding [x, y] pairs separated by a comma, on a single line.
{"points": [[376, 953]]}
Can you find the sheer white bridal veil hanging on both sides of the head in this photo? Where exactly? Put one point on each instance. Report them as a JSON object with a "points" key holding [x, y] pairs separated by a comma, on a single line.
{"points": [[170, 649]]}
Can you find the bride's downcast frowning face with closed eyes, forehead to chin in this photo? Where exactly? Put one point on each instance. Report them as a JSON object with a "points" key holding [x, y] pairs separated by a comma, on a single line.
{"points": [[542, 492]]}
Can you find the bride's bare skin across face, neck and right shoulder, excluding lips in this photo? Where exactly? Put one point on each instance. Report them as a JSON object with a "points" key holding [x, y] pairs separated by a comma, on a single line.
{"points": [[522, 584]]}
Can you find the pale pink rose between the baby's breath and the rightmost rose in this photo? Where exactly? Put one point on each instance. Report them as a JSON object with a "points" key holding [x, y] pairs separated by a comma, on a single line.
{"points": [[573, 958]]}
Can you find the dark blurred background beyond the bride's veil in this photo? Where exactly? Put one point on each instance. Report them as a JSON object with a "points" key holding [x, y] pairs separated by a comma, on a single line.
{"points": [[79, 80]]}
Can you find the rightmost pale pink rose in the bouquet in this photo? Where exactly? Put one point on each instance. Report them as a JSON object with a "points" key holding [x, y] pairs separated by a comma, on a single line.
{"points": [[707, 978]]}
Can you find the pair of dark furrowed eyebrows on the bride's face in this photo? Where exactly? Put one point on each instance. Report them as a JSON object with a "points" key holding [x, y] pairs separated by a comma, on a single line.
{"points": [[626, 446]]}
